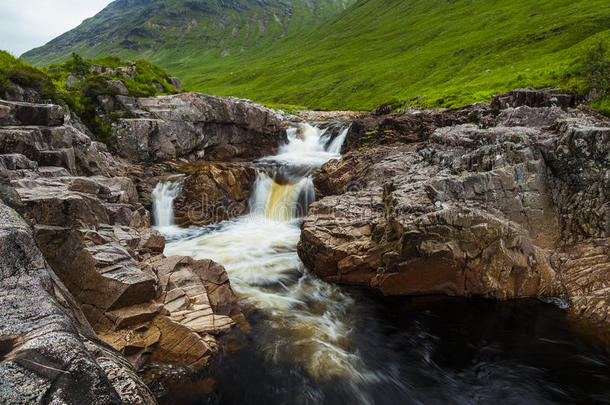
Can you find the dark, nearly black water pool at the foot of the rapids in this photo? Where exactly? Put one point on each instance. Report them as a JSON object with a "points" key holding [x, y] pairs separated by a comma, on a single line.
{"points": [[436, 350]]}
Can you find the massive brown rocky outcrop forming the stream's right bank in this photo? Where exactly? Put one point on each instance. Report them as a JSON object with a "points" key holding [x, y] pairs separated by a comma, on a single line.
{"points": [[516, 207]]}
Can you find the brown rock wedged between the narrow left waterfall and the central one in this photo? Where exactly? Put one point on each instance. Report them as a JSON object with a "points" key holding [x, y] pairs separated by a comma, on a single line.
{"points": [[213, 192]]}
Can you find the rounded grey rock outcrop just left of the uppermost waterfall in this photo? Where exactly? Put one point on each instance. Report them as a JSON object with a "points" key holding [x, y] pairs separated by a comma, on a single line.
{"points": [[193, 125]]}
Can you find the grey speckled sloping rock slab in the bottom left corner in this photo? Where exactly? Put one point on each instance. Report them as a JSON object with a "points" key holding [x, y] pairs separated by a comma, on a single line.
{"points": [[49, 352]]}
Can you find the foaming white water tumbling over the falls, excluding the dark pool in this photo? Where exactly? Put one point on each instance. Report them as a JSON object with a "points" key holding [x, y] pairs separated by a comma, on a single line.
{"points": [[310, 319]]}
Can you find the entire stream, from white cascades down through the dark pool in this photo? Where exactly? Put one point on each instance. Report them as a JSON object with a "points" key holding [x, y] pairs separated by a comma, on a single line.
{"points": [[313, 342]]}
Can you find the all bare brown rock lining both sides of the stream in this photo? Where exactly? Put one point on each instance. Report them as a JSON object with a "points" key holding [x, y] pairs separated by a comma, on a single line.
{"points": [[503, 200]]}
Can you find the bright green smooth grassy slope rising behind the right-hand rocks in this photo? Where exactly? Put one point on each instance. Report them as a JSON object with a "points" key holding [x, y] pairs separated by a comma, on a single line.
{"points": [[386, 50]]}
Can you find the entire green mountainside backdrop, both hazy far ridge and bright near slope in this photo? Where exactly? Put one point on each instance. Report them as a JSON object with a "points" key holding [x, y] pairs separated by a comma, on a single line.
{"points": [[359, 54]]}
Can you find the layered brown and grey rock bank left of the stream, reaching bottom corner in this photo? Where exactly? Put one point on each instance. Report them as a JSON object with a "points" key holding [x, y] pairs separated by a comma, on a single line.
{"points": [[106, 274]]}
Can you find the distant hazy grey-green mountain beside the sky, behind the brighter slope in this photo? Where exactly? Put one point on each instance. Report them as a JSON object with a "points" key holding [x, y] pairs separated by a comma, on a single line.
{"points": [[185, 30]]}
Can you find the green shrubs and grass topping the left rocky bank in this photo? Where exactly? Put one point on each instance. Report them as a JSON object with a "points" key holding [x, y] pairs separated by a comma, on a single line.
{"points": [[79, 84]]}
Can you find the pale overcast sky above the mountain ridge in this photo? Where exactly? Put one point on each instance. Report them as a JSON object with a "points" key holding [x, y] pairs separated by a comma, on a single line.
{"points": [[26, 24]]}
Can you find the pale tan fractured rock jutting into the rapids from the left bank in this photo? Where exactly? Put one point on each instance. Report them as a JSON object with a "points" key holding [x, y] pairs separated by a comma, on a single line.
{"points": [[195, 306]]}
